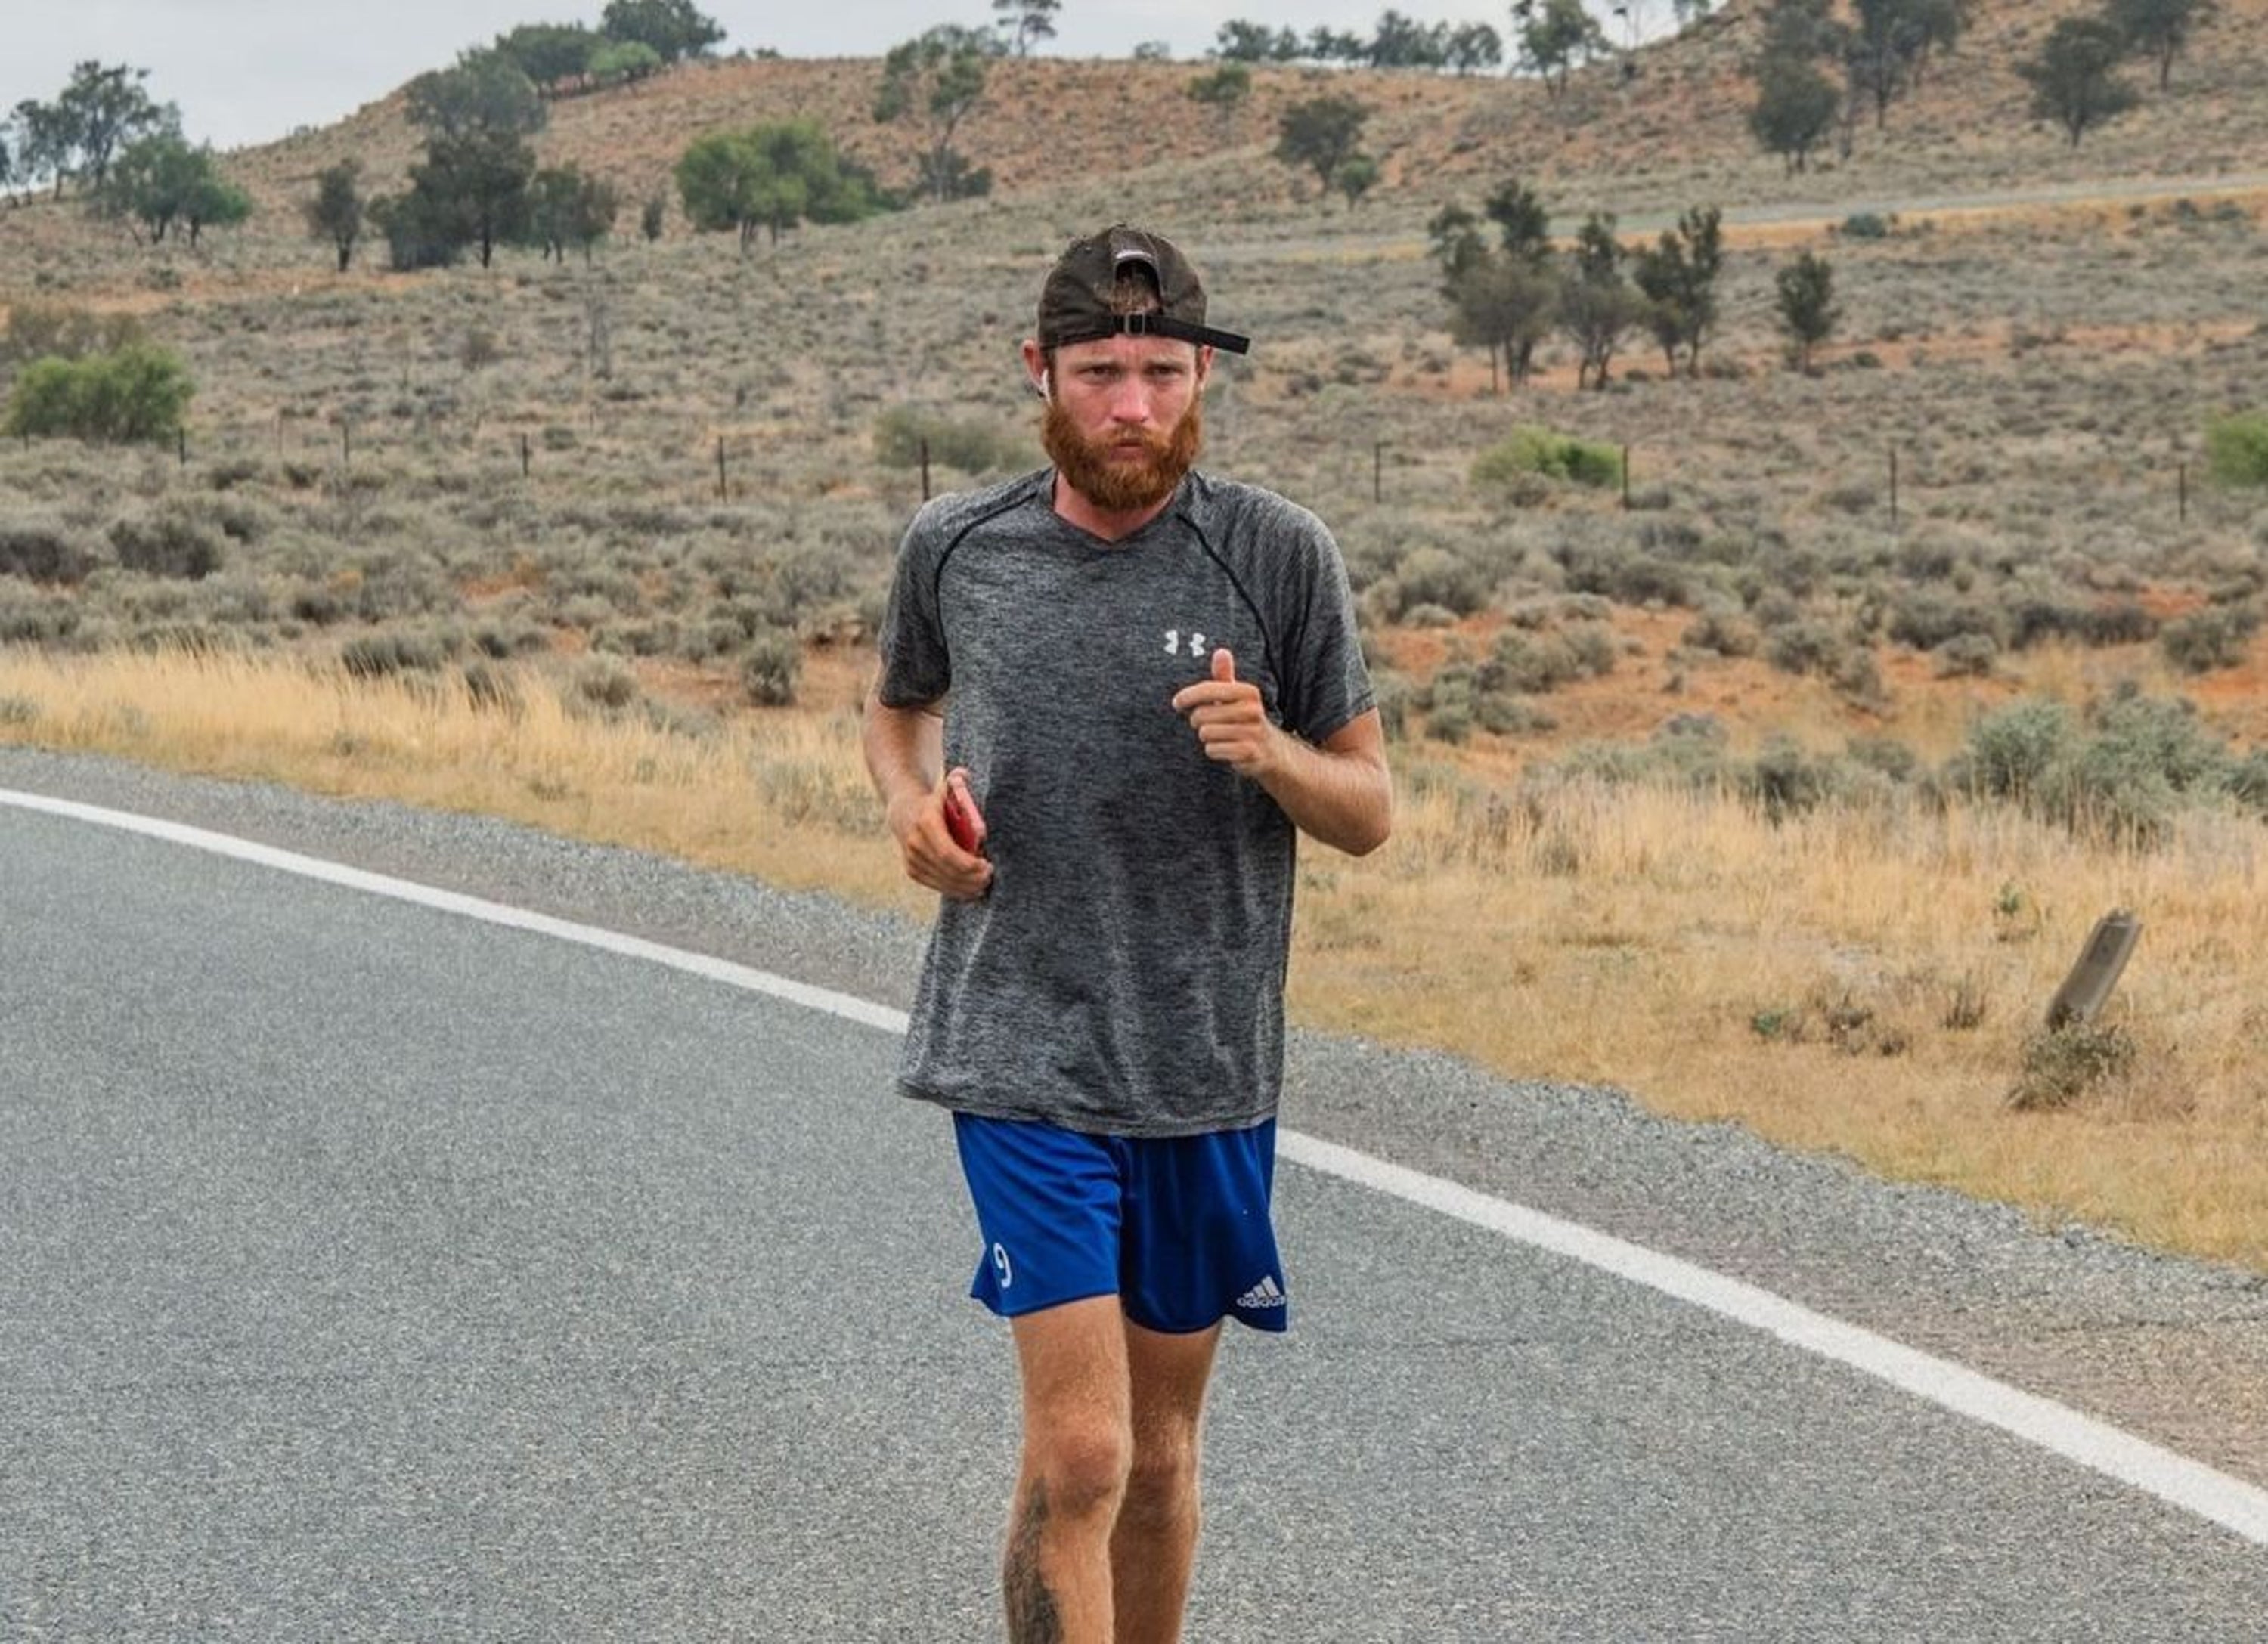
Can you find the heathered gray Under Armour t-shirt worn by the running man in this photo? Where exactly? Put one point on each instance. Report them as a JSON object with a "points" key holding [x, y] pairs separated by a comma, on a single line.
{"points": [[1126, 972]]}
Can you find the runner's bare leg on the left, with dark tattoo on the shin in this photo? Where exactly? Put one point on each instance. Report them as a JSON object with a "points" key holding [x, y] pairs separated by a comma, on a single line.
{"points": [[1076, 1455]]}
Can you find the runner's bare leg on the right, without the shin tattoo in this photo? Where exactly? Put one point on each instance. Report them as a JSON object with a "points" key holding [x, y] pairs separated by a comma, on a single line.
{"points": [[1156, 1541]]}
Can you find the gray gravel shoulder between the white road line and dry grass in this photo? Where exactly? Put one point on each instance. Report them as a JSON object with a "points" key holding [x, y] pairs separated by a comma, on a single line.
{"points": [[2160, 1346]]}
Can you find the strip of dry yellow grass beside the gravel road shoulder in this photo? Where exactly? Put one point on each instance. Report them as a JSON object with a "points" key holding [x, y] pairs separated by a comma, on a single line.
{"points": [[1795, 978]]}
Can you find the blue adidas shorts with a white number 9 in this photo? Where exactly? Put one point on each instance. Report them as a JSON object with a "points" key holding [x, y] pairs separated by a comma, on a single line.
{"points": [[1176, 1226]]}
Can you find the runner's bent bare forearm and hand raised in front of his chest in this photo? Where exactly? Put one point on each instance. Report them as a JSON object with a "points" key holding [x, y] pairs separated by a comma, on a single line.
{"points": [[1337, 793]]}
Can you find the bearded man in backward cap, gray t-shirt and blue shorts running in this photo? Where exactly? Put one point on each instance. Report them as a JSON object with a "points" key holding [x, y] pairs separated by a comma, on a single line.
{"points": [[1137, 684]]}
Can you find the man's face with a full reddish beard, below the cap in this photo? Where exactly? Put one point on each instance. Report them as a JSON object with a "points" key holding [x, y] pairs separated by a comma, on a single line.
{"points": [[1124, 418]]}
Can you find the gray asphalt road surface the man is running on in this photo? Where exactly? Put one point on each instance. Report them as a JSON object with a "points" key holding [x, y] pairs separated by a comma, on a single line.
{"points": [[378, 1273]]}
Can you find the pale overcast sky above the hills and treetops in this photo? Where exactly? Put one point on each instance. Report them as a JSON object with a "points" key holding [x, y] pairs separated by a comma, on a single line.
{"points": [[248, 71]]}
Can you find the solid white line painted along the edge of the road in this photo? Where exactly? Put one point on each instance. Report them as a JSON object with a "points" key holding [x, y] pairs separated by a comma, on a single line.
{"points": [[2045, 1423]]}
